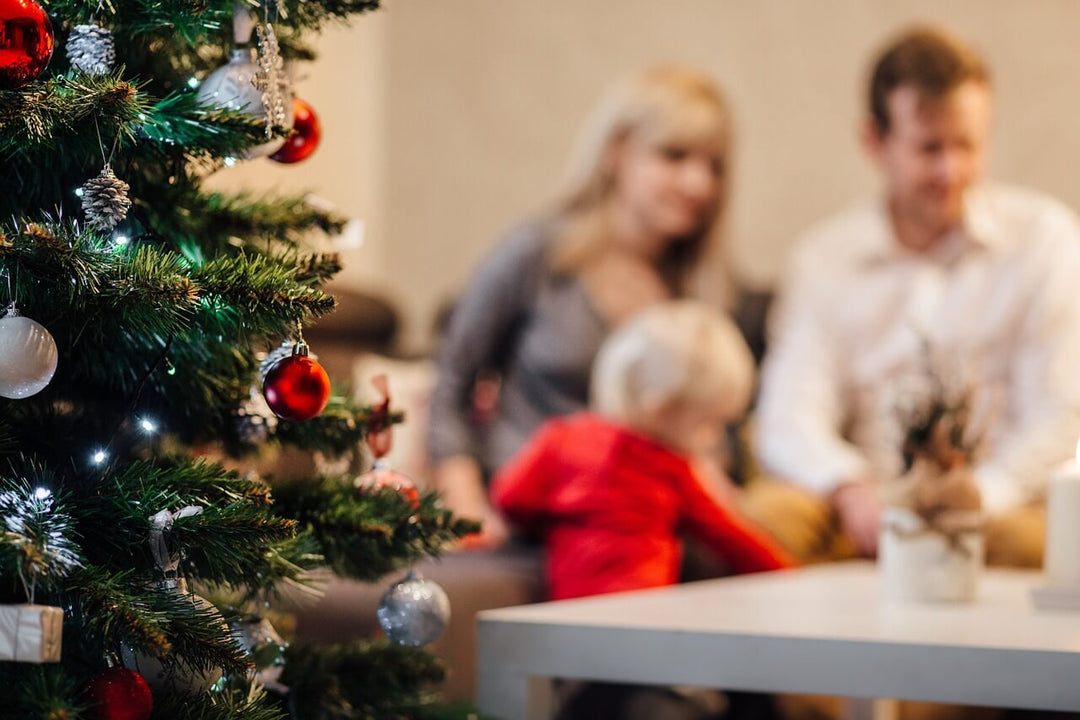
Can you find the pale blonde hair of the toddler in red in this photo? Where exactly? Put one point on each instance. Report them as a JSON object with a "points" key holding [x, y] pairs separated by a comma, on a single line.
{"points": [[676, 352]]}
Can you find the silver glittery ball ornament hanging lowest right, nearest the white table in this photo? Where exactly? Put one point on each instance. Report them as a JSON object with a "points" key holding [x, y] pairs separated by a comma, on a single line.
{"points": [[414, 612]]}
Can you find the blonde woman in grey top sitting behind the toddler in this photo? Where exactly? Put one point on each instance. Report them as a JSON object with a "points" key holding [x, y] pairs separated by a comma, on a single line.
{"points": [[638, 224]]}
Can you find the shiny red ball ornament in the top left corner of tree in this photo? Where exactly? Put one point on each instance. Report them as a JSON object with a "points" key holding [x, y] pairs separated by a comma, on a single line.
{"points": [[26, 43]]}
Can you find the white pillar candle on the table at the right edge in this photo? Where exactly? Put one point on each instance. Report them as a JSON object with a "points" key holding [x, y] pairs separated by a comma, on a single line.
{"points": [[1062, 563]]}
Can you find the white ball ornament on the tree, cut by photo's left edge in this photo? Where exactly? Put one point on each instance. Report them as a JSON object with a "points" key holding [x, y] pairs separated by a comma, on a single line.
{"points": [[28, 357]]}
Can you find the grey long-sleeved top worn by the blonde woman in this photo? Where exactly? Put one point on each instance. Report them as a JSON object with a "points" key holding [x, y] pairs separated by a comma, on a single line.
{"points": [[537, 331]]}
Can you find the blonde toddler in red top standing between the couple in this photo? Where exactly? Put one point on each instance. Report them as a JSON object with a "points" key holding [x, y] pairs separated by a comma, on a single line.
{"points": [[611, 490]]}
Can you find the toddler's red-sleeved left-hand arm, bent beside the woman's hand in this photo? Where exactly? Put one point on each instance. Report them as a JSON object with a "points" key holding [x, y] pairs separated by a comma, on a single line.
{"points": [[521, 491]]}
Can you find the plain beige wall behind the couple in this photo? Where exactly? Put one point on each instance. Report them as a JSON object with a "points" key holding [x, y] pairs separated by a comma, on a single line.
{"points": [[452, 118]]}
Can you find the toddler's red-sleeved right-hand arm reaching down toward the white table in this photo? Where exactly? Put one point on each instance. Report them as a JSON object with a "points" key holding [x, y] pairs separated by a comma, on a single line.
{"points": [[744, 546]]}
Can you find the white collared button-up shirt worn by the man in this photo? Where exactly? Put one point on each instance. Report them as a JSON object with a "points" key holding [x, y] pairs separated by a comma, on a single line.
{"points": [[994, 308]]}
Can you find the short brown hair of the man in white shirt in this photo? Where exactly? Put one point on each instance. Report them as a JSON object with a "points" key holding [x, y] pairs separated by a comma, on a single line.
{"points": [[931, 61]]}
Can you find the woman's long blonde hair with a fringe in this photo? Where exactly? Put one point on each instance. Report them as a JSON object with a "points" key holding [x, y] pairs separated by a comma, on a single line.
{"points": [[658, 106]]}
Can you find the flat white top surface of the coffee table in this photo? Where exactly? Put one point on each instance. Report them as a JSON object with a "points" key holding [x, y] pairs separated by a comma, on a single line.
{"points": [[839, 602]]}
